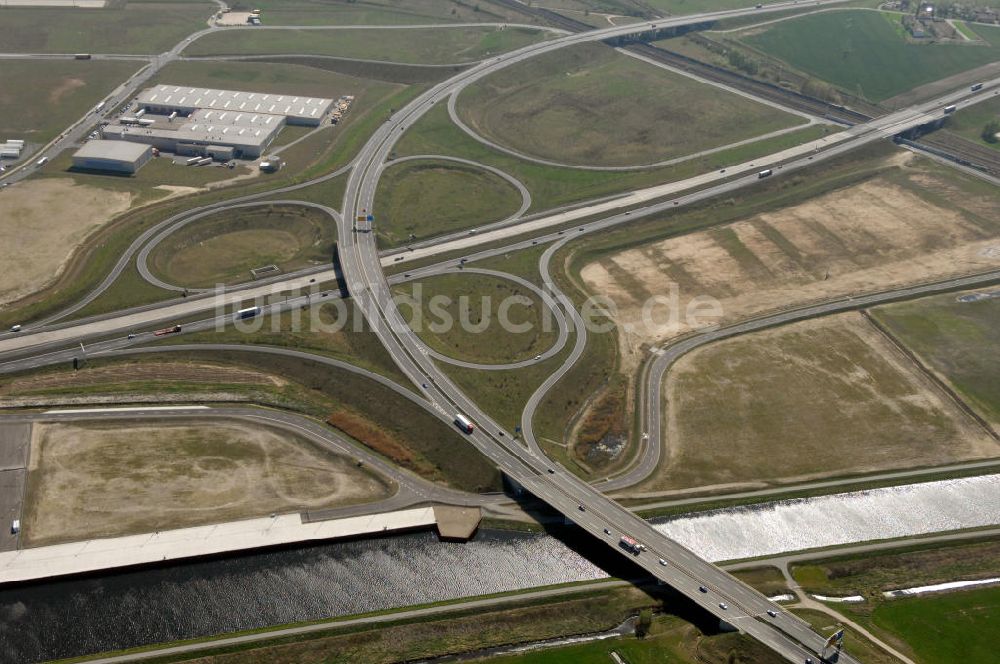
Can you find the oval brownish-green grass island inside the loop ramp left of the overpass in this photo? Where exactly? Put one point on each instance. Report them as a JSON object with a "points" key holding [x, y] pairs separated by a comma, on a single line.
{"points": [[225, 246]]}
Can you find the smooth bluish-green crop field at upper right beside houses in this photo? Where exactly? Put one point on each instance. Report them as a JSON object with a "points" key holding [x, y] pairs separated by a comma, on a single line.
{"points": [[865, 52]]}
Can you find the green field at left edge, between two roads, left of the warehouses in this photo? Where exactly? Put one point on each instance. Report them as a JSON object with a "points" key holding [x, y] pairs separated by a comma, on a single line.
{"points": [[61, 93]]}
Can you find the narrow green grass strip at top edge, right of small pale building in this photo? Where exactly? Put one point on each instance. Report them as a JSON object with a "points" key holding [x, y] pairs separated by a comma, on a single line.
{"points": [[382, 12]]}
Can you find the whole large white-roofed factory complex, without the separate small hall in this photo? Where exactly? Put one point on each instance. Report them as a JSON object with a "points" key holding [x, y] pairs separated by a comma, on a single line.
{"points": [[222, 124]]}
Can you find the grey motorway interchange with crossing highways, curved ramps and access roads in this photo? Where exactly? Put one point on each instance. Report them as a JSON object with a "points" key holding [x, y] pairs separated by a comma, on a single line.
{"points": [[50, 341]]}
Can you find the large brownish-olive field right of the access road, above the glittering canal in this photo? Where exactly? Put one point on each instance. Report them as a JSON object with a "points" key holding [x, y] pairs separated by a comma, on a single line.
{"points": [[832, 394]]}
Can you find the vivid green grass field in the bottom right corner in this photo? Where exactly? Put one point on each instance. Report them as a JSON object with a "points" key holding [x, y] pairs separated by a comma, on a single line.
{"points": [[954, 628]]}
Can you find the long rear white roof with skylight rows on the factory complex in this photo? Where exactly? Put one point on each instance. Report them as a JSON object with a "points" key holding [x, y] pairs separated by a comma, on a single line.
{"points": [[184, 97]]}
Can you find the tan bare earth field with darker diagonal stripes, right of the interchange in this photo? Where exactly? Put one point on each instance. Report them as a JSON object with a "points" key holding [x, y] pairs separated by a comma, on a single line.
{"points": [[903, 226]]}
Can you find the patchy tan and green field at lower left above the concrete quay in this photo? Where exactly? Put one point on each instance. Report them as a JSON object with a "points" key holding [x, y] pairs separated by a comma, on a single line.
{"points": [[105, 479]]}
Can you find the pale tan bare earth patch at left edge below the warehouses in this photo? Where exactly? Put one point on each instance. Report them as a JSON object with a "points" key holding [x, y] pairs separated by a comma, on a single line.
{"points": [[43, 222]]}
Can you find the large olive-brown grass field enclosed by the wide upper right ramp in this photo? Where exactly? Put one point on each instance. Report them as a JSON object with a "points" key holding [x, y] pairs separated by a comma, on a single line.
{"points": [[578, 106]]}
